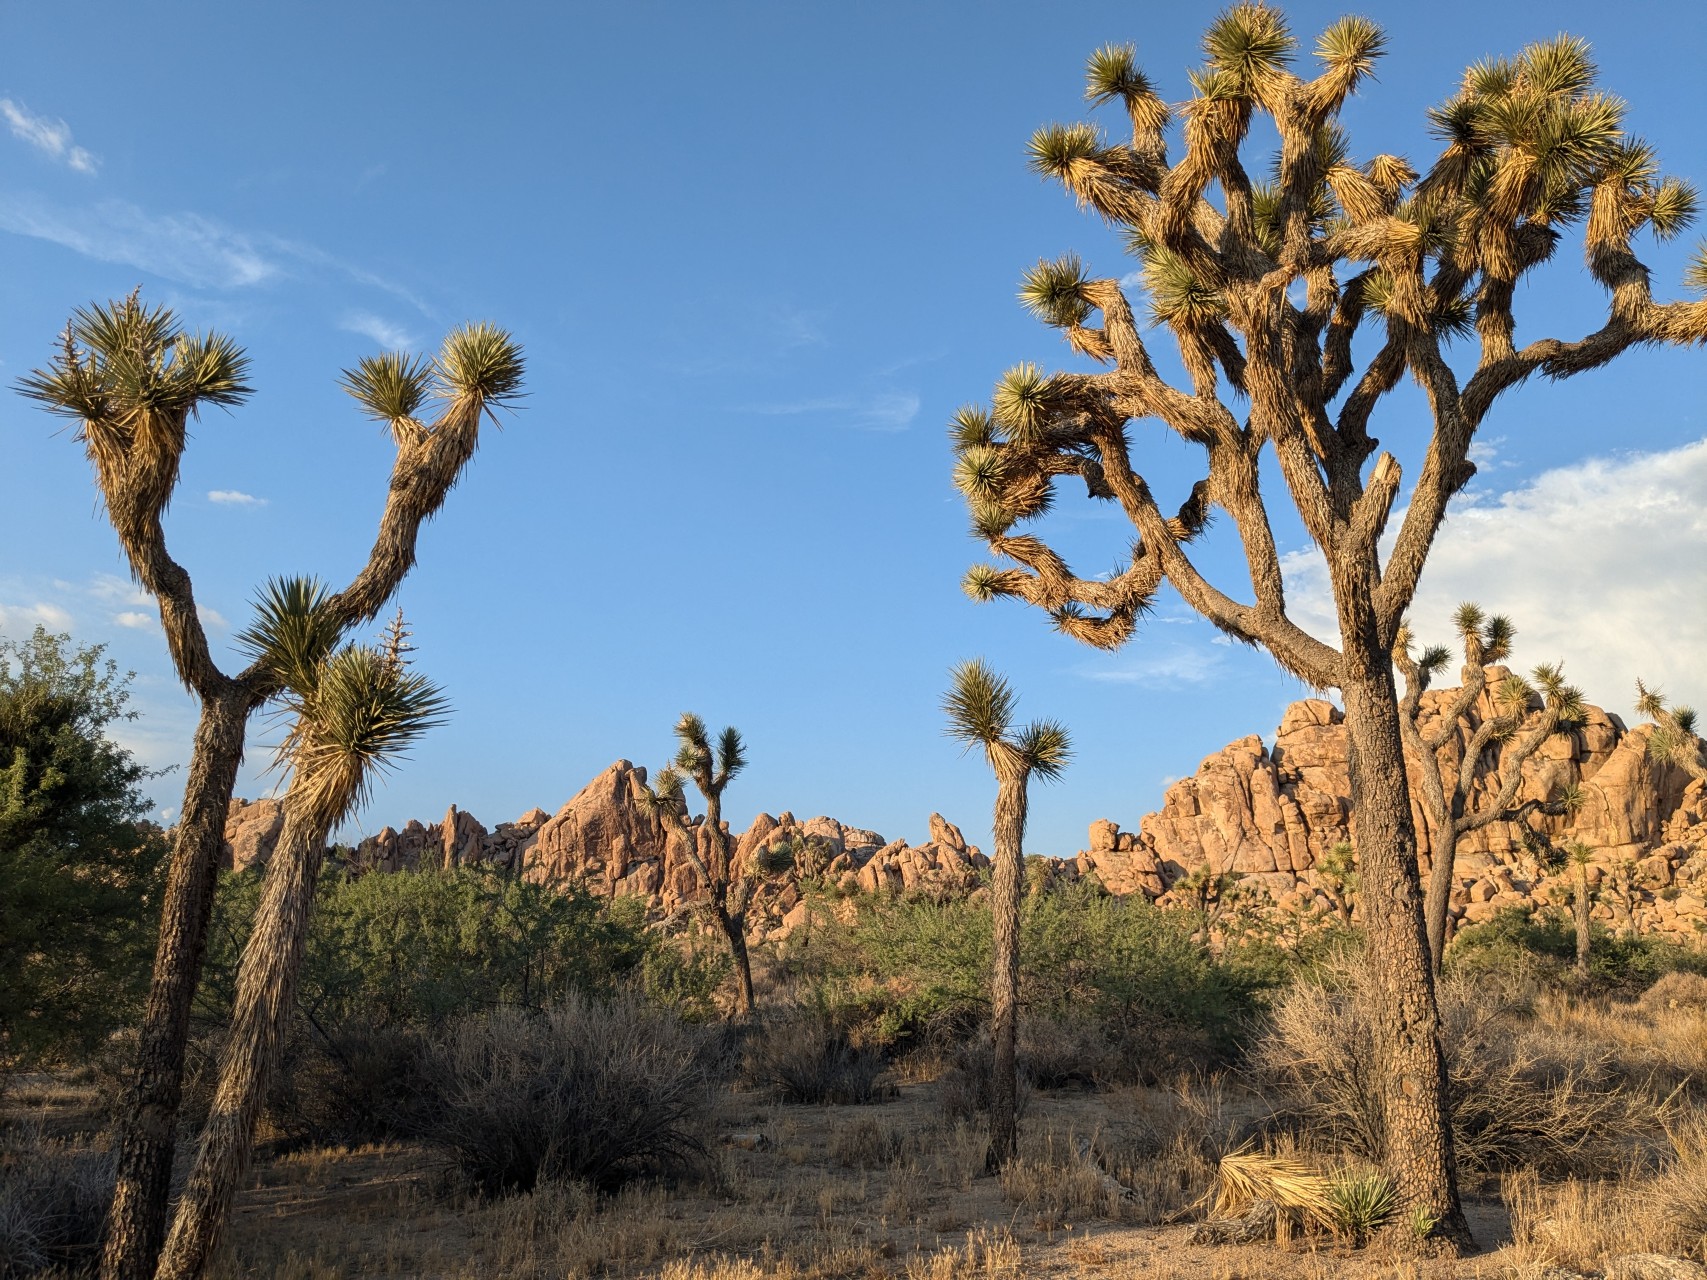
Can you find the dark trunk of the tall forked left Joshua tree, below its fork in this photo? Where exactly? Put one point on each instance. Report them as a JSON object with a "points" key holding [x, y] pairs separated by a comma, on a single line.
{"points": [[148, 1143]]}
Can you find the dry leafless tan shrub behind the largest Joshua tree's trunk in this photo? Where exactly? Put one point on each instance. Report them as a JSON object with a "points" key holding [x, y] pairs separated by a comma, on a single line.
{"points": [[1513, 1102]]}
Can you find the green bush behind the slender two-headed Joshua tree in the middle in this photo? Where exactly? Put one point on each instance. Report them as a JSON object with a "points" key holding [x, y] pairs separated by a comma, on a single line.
{"points": [[916, 972]]}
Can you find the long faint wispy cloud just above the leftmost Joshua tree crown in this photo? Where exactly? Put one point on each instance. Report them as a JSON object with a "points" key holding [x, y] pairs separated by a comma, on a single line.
{"points": [[178, 247]]}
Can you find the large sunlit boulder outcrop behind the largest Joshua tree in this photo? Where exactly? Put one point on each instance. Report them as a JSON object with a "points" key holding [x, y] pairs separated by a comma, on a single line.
{"points": [[1269, 815]]}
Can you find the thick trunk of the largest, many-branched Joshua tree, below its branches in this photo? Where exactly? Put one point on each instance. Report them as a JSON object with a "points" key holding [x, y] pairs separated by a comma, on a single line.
{"points": [[1416, 1103]]}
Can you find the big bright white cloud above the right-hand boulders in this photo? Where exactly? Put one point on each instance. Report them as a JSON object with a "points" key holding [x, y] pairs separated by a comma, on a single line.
{"points": [[1599, 564]]}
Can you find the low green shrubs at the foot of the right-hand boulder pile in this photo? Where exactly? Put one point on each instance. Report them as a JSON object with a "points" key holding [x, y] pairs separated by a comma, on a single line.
{"points": [[1542, 946]]}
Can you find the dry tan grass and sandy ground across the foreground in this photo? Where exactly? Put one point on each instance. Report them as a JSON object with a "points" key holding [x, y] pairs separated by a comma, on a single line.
{"points": [[895, 1192]]}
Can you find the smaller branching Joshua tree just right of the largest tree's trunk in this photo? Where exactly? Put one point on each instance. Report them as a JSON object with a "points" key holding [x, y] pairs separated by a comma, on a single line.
{"points": [[1447, 800]]}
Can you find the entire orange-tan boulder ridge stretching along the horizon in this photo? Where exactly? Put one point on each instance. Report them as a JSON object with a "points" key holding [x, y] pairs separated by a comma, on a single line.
{"points": [[1266, 815]]}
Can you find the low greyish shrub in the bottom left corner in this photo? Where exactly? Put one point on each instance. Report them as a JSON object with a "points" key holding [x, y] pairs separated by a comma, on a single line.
{"points": [[52, 1204]]}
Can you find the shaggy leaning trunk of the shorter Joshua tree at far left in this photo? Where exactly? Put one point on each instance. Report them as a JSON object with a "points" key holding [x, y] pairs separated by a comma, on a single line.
{"points": [[267, 986]]}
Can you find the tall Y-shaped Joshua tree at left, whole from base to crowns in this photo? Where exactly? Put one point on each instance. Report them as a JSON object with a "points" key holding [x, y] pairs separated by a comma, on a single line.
{"points": [[132, 381]]}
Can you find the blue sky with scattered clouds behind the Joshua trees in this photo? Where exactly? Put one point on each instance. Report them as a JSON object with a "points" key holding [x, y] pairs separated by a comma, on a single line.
{"points": [[757, 253]]}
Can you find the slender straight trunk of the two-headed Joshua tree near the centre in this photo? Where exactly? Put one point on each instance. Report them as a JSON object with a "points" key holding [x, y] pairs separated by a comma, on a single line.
{"points": [[1005, 980]]}
